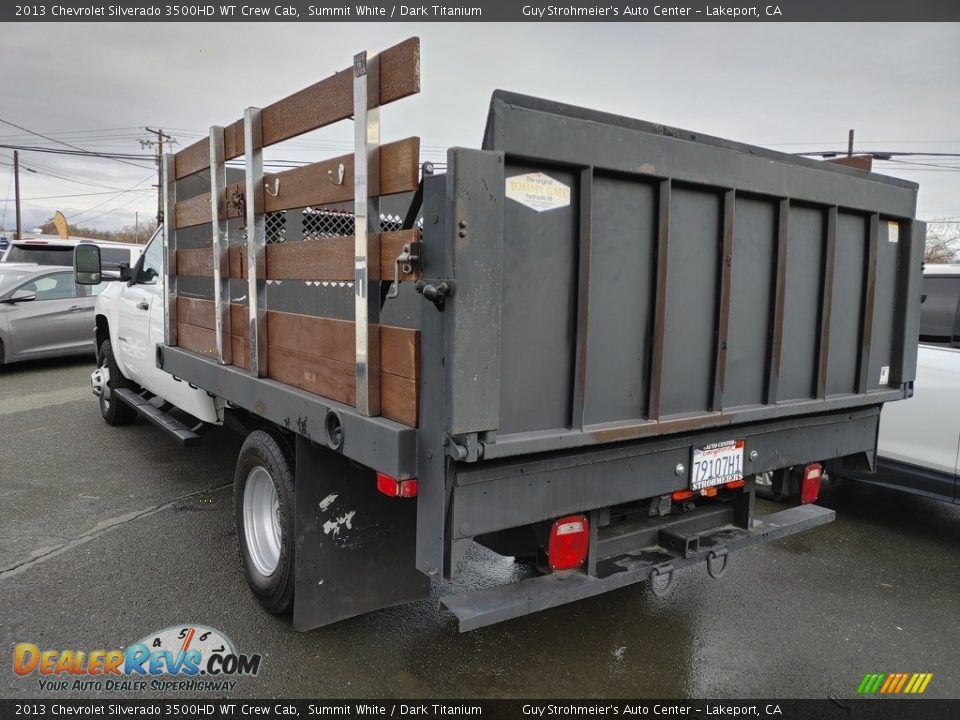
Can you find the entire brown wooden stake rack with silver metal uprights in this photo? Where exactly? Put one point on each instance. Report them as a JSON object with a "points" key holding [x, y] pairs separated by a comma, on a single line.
{"points": [[358, 362]]}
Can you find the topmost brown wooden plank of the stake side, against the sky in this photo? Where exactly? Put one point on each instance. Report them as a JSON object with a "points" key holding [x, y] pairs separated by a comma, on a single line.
{"points": [[321, 104]]}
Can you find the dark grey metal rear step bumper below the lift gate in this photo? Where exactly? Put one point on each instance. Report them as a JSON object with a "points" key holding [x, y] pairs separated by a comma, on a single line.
{"points": [[486, 607]]}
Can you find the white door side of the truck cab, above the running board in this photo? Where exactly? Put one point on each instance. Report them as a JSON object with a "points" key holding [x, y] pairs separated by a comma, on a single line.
{"points": [[135, 350]]}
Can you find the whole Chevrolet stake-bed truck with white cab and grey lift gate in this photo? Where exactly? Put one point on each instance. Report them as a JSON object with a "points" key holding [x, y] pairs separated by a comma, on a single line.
{"points": [[578, 344]]}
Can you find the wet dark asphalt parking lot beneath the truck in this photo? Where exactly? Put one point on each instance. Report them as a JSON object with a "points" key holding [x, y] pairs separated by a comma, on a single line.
{"points": [[107, 534]]}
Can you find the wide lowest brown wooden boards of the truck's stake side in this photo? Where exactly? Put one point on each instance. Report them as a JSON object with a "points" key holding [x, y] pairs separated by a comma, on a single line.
{"points": [[315, 354]]}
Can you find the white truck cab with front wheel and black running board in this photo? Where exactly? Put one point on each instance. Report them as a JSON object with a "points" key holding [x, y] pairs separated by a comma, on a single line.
{"points": [[129, 325]]}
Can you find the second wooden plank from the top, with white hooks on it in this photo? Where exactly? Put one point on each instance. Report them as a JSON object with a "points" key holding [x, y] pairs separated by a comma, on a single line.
{"points": [[313, 185]]}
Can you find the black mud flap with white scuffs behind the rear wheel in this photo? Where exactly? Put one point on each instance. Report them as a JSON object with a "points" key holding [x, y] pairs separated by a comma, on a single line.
{"points": [[356, 547]]}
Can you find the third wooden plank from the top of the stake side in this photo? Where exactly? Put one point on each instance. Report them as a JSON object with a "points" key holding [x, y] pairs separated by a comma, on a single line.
{"points": [[321, 259]]}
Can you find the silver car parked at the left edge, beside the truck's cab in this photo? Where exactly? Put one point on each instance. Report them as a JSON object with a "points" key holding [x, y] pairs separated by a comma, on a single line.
{"points": [[44, 313]]}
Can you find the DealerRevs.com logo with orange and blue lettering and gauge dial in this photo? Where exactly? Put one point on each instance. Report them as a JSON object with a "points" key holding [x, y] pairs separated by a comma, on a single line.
{"points": [[186, 658]]}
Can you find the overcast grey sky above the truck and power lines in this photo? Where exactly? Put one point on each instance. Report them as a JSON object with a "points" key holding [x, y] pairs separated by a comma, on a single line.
{"points": [[792, 87]]}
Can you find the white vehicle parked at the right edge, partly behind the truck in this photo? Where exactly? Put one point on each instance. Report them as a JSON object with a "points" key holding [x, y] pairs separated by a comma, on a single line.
{"points": [[918, 450]]}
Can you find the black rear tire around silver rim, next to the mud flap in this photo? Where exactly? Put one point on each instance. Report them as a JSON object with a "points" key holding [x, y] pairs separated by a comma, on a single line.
{"points": [[266, 451]]}
